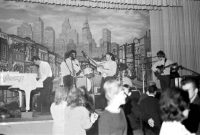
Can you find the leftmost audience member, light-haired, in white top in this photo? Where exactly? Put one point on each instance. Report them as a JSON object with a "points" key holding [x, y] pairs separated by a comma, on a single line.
{"points": [[57, 110]]}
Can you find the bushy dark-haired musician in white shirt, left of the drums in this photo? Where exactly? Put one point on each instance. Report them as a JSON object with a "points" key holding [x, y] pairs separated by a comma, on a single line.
{"points": [[70, 68]]}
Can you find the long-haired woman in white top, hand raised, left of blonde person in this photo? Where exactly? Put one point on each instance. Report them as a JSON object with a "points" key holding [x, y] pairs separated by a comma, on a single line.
{"points": [[77, 117]]}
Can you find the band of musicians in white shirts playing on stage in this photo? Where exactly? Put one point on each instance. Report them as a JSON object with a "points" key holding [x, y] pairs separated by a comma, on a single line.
{"points": [[92, 74]]}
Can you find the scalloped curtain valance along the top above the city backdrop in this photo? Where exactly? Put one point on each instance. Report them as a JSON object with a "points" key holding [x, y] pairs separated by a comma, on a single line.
{"points": [[113, 4]]}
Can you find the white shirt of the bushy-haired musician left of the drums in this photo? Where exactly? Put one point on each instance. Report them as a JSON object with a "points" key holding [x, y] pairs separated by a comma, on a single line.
{"points": [[66, 67]]}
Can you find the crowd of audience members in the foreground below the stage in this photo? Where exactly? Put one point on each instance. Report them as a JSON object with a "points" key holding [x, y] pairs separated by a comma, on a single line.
{"points": [[128, 112]]}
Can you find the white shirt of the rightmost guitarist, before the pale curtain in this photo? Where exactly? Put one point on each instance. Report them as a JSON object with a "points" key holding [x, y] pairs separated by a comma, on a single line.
{"points": [[166, 71]]}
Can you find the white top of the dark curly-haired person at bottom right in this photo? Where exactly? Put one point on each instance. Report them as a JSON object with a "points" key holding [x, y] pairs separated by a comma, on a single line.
{"points": [[173, 128]]}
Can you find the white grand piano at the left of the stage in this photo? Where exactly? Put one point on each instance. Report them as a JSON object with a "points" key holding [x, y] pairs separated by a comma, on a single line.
{"points": [[24, 81]]}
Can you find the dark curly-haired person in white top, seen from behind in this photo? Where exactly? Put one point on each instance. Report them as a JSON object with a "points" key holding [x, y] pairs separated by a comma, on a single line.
{"points": [[174, 106]]}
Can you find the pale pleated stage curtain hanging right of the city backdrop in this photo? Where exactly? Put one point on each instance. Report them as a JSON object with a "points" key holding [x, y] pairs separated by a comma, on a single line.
{"points": [[176, 30]]}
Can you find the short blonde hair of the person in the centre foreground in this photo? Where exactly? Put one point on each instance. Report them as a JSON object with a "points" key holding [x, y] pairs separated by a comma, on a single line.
{"points": [[111, 87]]}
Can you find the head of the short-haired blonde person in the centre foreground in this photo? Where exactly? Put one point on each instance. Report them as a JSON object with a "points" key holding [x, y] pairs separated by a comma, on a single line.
{"points": [[114, 92]]}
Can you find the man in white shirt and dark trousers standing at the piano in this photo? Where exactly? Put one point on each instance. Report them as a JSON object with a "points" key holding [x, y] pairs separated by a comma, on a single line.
{"points": [[45, 76]]}
